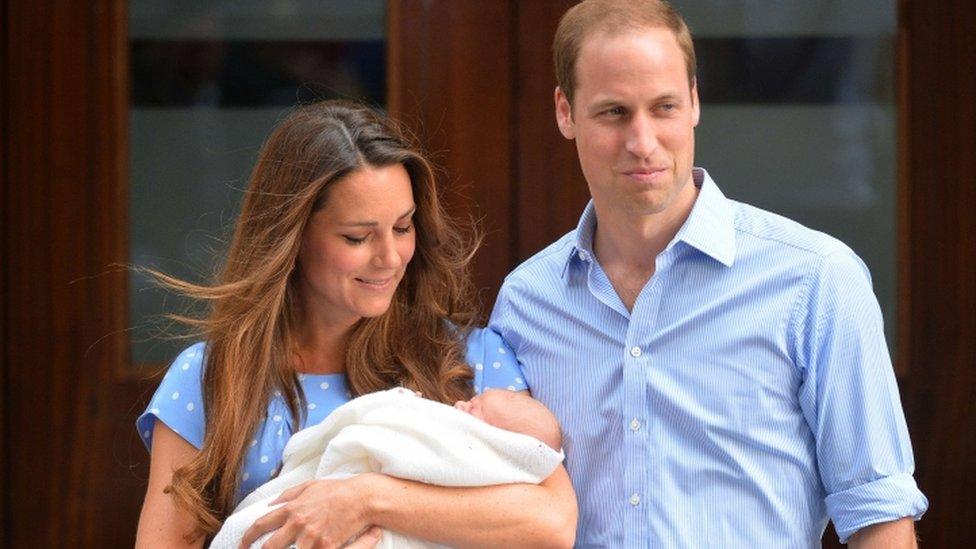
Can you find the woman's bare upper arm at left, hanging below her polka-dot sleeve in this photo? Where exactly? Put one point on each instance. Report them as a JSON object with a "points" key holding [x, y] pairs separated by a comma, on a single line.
{"points": [[161, 523]]}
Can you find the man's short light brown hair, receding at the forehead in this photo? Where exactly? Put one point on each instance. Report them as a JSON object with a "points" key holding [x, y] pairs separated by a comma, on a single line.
{"points": [[614, 17]]}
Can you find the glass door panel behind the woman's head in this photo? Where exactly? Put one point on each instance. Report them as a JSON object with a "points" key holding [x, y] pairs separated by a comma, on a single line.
{"points": [[209, 80]]}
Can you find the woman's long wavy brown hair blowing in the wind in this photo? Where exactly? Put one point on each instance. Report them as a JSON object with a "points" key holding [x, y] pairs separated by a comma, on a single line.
{"points": [[417, 343]]}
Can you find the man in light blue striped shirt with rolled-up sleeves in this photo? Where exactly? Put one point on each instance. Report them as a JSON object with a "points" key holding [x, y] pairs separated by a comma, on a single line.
{"points": [[720, 372]]}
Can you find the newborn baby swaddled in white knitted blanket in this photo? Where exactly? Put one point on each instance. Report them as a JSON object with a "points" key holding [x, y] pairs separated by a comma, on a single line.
{"points": [[498, 437]]}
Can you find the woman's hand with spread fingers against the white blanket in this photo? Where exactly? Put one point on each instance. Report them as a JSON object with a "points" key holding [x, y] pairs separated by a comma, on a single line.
{"points": [[318, 514]]}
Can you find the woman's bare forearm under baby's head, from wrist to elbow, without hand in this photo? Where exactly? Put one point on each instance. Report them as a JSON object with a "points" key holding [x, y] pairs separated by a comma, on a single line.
{"points": [[510, 515]]}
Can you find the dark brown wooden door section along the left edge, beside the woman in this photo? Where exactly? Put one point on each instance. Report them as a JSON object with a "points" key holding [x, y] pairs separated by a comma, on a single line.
{"points": [[73, 469]]}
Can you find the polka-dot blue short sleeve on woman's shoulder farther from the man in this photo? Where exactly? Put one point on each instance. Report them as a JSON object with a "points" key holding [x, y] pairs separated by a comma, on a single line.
{"points": [[177, 401]]}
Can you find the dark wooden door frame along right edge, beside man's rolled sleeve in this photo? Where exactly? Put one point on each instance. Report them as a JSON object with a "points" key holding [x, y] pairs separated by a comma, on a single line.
{"points": [[937, 230]]}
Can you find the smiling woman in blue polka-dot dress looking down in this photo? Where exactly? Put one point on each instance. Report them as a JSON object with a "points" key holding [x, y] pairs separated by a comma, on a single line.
{"points": [[344, 277]]}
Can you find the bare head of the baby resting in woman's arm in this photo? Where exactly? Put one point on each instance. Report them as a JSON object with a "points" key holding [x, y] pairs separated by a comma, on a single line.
{"points": [[516, 412]]}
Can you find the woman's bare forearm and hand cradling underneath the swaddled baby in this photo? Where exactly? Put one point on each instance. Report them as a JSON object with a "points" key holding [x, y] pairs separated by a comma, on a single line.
{"points": [[328, 513]]}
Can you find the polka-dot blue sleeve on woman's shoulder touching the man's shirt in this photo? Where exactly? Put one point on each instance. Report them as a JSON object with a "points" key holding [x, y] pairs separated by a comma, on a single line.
{"points": [[494, 363]]}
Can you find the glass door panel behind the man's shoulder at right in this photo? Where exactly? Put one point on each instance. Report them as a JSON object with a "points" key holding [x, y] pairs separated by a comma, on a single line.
{"points": [[798, 117]]}
